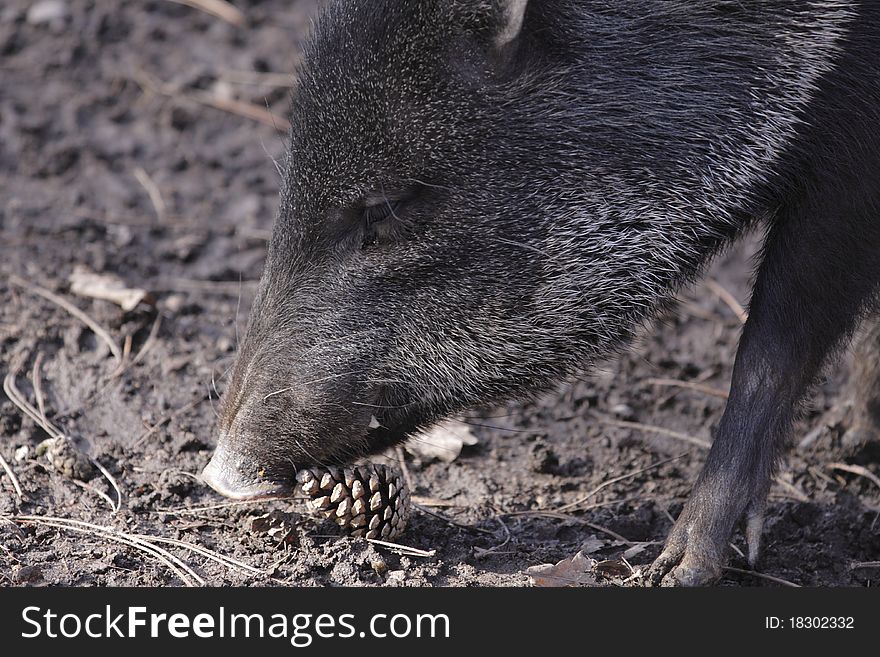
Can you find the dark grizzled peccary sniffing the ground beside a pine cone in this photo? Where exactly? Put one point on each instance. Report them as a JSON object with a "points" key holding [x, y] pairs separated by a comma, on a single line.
{"points": [[482, 197]]}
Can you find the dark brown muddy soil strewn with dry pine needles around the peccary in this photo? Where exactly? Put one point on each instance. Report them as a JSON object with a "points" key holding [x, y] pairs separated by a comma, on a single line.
{"points": [[114, 157]]}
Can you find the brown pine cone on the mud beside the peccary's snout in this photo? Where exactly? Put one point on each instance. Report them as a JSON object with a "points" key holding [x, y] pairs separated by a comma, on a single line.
{"points": [[367, 500]]}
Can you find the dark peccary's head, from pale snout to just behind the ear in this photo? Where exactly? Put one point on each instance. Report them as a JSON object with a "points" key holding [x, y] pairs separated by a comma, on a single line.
{"points": [[403, 280]]}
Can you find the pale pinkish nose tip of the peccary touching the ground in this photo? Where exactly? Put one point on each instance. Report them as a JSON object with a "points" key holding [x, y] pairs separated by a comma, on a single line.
{"points": [[240, 478]]}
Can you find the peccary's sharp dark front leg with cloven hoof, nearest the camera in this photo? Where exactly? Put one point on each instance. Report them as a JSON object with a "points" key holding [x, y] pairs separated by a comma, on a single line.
{"points": [[819, 268]]}
